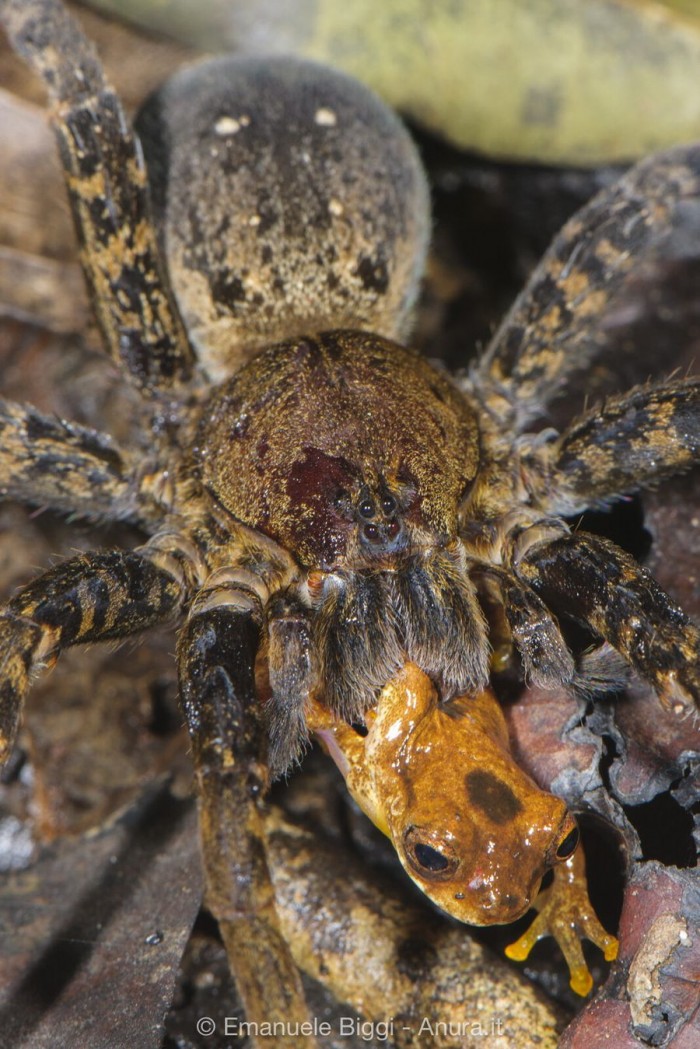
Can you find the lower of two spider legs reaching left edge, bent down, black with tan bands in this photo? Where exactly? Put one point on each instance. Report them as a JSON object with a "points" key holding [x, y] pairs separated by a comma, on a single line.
{"points": [[94, 597]]}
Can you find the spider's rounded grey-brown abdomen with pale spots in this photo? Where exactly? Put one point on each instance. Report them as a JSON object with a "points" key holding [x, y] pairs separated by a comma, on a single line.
{"points": [[291, 200]]}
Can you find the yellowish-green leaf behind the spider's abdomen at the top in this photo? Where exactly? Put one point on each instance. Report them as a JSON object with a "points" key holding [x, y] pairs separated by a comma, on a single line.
{"points": [[556, 81]]}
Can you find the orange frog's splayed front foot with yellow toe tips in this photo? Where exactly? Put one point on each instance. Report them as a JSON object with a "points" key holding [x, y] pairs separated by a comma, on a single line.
{"points": [[566, 914]]}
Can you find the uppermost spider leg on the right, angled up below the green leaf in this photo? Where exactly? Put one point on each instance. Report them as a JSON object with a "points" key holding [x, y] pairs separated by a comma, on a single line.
{"points": [[555, 330]]}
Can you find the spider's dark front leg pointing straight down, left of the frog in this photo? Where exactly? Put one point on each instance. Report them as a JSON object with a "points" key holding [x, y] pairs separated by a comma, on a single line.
{"points": [[217, 657]]}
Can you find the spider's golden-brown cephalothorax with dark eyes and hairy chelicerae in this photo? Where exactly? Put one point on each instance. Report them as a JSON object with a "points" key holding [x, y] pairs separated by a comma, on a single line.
{"points": [[365, 498]]}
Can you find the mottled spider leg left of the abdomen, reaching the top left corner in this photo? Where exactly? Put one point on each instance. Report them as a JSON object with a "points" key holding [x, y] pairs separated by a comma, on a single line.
{"points": [[108, 188]]}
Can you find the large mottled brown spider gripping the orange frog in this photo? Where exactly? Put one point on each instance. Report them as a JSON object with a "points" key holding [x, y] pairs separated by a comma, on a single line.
{"points": [[328, 510]]}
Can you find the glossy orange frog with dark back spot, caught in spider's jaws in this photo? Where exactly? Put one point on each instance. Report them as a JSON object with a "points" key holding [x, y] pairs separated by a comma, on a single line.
{"points": [[470, 827]]}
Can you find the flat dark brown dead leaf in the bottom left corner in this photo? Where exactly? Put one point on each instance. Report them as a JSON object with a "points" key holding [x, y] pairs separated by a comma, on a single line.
{"points": [[93, 934]]}
